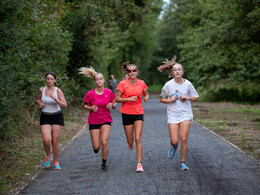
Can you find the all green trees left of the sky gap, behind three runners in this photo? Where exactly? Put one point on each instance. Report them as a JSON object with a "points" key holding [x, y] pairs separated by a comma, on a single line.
{"points": [[62, 36]]}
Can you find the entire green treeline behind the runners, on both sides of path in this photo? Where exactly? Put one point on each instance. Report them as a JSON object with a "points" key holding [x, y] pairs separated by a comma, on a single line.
{"points": [[217, 42]]}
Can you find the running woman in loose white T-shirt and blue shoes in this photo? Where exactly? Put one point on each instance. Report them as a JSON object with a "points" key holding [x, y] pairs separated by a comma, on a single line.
{"points": [[179, 92]]}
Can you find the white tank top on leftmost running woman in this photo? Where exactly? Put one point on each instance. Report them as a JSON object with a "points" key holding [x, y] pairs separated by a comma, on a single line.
{"points": [[50, 105]]}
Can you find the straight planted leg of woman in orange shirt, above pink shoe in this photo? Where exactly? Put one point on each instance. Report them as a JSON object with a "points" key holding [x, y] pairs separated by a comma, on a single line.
{"points": [[138, 127]]}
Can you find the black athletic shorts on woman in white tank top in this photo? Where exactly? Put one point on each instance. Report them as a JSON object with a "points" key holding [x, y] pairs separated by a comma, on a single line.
{"points": [[52, 119]]}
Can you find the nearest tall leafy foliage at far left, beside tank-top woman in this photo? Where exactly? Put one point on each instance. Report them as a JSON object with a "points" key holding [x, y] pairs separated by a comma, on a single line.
{"points": [[31, 43]]}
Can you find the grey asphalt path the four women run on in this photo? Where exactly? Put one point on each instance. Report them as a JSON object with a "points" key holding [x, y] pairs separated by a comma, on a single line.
{"points": [[216, 166]]}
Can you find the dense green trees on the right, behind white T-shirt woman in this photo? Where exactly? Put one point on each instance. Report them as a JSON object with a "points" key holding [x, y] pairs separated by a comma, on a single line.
{"points": [[218, 42]]}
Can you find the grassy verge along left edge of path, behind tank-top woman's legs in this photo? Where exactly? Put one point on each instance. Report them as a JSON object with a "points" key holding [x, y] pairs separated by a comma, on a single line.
{"points": [[22, 157]]}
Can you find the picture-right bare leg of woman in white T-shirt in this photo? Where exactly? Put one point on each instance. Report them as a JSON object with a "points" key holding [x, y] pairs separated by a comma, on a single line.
{"points": [[184, 132]]}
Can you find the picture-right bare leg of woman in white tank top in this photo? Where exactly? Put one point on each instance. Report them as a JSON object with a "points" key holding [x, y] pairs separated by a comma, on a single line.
{"points": [[56, 129]]}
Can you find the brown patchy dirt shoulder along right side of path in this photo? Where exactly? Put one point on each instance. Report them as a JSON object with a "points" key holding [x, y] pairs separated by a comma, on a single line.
{"points": [[237, 123]]}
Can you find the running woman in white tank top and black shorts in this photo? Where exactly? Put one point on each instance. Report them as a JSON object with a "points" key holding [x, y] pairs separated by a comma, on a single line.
{"points": [[50, 100]]}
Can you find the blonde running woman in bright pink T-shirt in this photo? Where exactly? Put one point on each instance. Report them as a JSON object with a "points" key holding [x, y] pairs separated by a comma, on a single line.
{"points": [[99, 101]]}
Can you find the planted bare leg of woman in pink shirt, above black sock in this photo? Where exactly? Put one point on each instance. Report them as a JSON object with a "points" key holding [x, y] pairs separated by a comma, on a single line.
{"points": [[105, 133]]}
